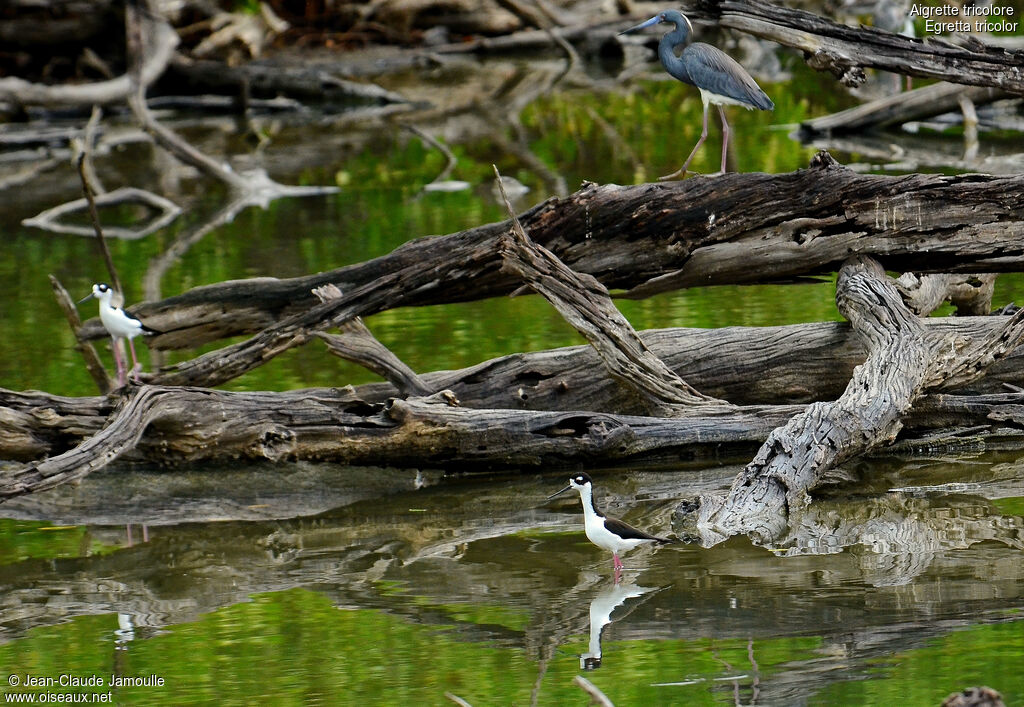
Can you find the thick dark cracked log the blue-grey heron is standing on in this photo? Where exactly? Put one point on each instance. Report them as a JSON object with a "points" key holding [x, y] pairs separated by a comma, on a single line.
{"points": [[650, 239]]}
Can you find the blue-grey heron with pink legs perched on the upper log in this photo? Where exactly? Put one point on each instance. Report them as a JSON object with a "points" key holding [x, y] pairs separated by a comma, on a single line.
{"points": [[721, 80]]}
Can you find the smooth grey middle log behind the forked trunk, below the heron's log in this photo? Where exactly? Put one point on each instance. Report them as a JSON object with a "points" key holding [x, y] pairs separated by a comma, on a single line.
{"points": [[800, 363]]}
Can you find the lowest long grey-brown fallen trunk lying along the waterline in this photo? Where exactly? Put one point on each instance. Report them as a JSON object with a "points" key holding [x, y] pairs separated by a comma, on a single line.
{"points": [[170, 427]]}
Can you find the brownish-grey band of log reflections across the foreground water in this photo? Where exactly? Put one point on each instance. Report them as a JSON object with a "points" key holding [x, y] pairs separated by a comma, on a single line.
{"points": [[435, 545]]}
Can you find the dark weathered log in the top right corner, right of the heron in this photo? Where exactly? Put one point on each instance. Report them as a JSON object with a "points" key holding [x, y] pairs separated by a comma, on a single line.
{"points": [[847, 51]]}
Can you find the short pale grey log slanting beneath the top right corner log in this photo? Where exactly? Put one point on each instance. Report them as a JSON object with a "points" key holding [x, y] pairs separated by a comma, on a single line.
{"points": [[927, 102]]}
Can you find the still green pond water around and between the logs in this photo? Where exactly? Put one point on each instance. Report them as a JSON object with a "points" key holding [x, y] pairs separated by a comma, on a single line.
{"points": [[314, 585]]}
